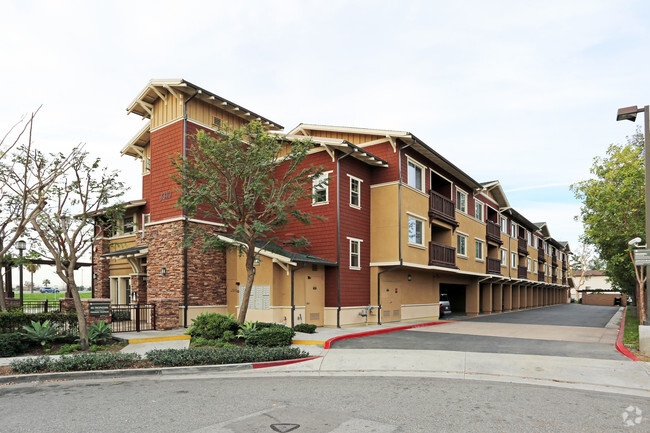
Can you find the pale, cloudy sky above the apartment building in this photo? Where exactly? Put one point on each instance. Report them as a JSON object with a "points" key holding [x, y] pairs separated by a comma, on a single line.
{"points": [[522, 92]]}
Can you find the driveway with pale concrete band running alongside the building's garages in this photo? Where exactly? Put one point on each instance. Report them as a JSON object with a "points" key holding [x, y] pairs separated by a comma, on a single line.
{"points": [[571, 330]]}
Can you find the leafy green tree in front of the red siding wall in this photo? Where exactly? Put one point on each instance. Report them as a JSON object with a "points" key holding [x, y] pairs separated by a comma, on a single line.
{"points": [[249, 180]]}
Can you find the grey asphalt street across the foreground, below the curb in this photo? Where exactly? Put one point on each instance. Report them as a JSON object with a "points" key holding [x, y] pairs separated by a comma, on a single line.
{"points": [[316, 405]]}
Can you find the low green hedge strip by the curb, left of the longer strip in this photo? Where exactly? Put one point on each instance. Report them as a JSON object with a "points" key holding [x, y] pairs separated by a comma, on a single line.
{"points": [[78, 362]]}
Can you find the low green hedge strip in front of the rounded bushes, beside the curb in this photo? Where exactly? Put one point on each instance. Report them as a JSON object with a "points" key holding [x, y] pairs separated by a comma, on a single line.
{"points": [[226, 355]]}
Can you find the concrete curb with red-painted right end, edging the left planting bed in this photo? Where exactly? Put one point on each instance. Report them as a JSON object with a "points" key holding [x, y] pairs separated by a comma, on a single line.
{"points": [[139, 372]]}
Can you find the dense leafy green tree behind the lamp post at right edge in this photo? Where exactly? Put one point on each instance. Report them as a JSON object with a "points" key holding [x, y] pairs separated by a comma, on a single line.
{"points": [[613, 208]]}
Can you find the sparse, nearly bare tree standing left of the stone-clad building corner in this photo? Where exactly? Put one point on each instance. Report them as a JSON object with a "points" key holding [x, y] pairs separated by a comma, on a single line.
{"points": [[66, 226]]}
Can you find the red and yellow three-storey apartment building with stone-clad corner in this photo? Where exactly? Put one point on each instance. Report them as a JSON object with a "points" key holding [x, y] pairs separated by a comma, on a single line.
{"points": [[401, 225]]}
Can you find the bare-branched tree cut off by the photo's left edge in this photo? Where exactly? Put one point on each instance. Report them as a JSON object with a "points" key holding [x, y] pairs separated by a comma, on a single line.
{"points": [[26, 175]]}
